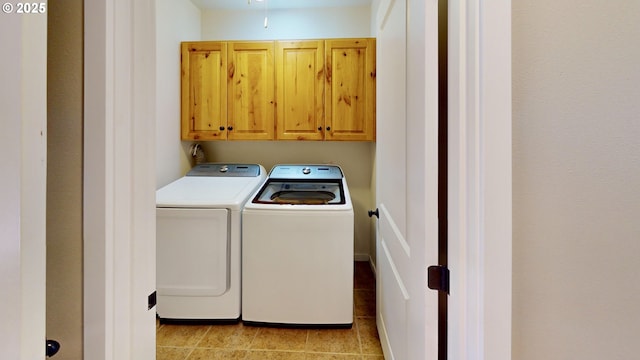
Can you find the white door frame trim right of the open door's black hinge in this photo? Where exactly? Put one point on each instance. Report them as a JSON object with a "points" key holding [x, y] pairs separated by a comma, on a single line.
{"points": [[480, 179]]}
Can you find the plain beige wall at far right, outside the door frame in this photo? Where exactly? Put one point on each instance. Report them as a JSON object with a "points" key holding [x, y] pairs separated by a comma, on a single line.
{"points": [[576, 179]]}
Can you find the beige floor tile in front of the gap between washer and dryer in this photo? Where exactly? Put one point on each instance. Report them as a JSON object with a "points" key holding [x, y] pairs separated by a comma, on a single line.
{"points": [[228, 337]]}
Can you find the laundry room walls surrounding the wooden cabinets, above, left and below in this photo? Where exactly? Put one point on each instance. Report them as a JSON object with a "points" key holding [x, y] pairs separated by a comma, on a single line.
{"points": [[179, 21]]}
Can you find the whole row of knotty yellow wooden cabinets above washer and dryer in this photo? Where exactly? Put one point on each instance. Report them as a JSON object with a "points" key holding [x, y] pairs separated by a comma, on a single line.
{"points": [[321, 90]]}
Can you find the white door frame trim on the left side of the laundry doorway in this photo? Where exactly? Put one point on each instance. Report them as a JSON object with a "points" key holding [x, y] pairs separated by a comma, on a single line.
{"points": [[119, 179]]}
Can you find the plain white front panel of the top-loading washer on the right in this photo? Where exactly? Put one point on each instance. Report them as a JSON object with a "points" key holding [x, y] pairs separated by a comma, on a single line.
{"points": [[298, 267]]}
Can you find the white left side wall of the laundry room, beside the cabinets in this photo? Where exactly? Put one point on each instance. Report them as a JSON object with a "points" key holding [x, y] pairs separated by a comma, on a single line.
{"points": [[176, 21]]}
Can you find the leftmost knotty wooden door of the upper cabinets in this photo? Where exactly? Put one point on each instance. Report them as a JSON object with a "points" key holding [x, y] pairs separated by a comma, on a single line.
{"points": [[204, 90]]}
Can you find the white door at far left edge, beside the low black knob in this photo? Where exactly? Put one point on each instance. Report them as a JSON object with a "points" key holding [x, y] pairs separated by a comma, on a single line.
{"points": [[23, 142]]}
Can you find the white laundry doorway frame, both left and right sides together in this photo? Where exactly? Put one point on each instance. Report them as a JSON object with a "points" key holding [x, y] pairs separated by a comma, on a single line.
{"points": [[119, 175]]}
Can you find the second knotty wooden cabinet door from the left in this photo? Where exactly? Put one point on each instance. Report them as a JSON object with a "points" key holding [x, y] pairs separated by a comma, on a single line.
{"points": [[251, 88]]}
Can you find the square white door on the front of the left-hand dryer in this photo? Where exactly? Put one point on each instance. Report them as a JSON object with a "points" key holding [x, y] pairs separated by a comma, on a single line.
{"points": [[192, 252]]}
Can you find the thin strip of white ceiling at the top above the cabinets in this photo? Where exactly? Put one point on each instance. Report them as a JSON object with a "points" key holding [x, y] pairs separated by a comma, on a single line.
{"points": [[277, 4]]}
